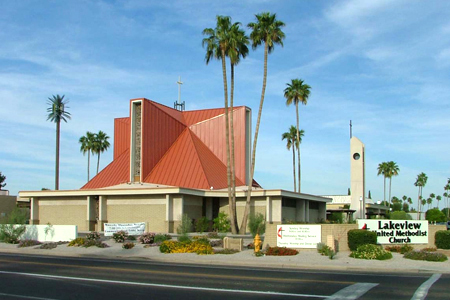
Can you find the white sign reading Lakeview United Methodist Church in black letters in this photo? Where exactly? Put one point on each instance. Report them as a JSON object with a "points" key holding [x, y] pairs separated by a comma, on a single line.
{"points": [[397, 231]]}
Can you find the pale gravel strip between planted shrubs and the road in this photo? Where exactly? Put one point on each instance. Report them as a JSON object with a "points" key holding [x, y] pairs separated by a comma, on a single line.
{"points": [[306, 259]]}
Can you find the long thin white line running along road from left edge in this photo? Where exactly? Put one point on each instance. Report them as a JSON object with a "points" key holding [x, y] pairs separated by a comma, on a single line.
{"points": [[164, 285]]}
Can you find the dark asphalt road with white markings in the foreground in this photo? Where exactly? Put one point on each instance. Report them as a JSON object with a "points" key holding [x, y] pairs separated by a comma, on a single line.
{"points": [[46, 277]]}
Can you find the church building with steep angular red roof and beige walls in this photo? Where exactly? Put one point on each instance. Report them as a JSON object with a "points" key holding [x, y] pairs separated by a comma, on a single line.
{"points": [[167, 163]]}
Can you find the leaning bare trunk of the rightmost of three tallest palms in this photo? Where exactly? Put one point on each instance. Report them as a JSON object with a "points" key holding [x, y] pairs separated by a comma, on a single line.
{"points": [[243, 227]]}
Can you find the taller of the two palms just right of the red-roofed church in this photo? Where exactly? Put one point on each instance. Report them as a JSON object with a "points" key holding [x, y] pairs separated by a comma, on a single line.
{"points": [[297, 92]]}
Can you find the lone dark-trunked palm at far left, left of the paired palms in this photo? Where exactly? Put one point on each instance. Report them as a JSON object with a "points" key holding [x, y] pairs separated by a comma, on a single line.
{"points": [[56, 113]]}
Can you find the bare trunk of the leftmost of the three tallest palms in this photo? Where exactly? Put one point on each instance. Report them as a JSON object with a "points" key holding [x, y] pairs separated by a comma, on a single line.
{"points": [[231, 208]]}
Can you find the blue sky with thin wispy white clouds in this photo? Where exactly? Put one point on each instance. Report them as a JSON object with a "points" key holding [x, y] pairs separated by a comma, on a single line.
{"points": [[382, 64]]}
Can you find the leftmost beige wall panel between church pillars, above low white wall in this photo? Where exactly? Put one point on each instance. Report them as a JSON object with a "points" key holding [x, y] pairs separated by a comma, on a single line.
{"points": [[64, 211]]}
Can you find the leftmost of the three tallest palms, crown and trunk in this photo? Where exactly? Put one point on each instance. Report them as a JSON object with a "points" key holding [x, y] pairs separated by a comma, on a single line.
{"points": [[217, 44]]}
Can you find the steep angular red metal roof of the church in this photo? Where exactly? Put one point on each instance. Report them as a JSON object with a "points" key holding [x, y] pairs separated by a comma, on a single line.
{"points": [[185, 149]]}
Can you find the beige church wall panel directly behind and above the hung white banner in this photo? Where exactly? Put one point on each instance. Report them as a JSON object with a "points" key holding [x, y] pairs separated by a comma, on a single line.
{"points": [[148, 209]]}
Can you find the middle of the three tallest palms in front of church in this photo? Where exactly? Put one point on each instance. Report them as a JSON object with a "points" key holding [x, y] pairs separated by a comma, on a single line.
{"points": [[237, 49]]}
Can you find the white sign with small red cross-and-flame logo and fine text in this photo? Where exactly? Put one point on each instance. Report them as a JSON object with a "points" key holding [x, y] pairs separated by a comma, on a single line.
{"points": [[298, 236]]}
